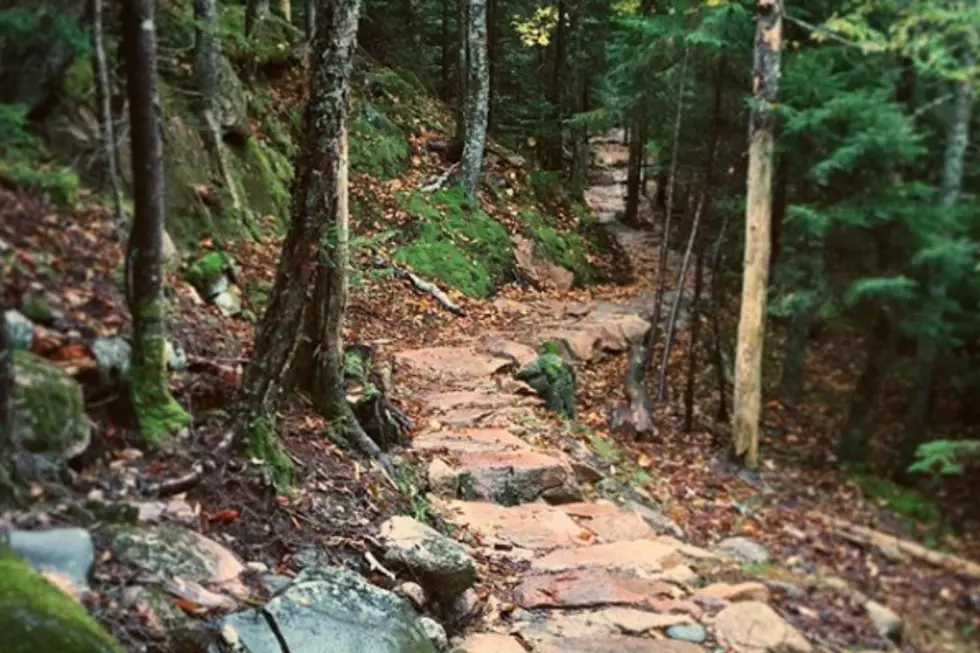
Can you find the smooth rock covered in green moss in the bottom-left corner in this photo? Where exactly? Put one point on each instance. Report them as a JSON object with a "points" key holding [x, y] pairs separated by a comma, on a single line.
{"points": [[36, 617]]}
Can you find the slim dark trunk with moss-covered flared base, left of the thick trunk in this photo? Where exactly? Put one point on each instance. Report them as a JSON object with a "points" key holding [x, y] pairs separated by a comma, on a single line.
{"points": [[159, 415]]}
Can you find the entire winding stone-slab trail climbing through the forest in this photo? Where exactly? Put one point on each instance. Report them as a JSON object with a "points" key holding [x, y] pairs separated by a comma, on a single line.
{"points": [[582, 573]]}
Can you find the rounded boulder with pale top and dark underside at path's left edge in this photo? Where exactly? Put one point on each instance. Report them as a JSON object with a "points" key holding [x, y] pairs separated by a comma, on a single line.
{"points": [[442, 565]]}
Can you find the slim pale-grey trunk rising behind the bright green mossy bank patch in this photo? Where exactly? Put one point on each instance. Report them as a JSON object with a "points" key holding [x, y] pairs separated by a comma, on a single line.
{"points": [[477, 96]]}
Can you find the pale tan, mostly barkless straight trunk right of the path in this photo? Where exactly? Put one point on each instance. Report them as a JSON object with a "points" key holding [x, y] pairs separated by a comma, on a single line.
{"points": [[758, 216]]}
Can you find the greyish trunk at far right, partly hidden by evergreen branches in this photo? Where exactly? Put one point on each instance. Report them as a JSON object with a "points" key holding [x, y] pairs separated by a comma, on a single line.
{"points": [[917, 419]]}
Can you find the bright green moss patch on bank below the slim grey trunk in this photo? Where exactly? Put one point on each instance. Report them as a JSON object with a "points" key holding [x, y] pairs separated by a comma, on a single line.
{"points": [[456, 246]]}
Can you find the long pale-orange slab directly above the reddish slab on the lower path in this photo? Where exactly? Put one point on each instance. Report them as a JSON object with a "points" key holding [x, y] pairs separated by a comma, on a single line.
{"points": [[636, 555]]}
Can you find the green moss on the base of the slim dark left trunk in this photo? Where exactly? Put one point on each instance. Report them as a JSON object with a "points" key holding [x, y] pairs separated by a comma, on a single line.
{"points": [[158, 414]]}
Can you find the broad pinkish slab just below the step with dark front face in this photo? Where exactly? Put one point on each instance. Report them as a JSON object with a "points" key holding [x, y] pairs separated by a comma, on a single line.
{"points": [[532, 526]]}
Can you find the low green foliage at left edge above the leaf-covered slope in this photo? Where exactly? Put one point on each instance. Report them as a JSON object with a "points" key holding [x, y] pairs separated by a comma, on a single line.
{"points": [[24, 162]]}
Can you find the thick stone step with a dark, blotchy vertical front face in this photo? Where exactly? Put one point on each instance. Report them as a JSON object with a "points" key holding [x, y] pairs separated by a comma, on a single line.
{"points": [[511, 477]]}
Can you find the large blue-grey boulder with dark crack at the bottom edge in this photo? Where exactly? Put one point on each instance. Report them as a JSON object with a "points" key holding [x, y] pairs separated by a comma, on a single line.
{"points": [[328, 608]]}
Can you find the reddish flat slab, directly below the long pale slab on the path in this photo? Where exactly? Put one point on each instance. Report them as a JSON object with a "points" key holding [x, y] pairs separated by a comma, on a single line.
{"points": [[589, 588]]}
